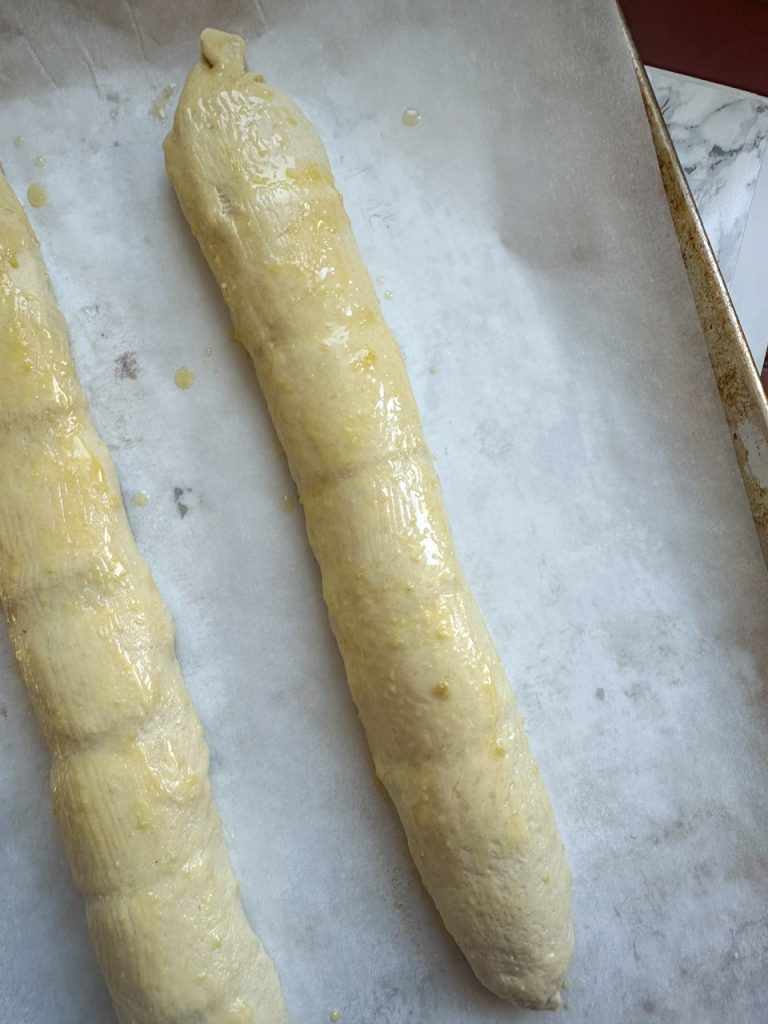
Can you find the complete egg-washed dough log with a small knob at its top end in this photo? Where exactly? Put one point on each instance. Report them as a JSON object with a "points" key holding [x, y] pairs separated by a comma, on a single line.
{"points": [[254, 183]]}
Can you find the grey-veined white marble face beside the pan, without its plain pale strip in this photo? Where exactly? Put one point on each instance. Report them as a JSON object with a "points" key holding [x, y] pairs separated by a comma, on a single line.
{"points": [[720, 136]]}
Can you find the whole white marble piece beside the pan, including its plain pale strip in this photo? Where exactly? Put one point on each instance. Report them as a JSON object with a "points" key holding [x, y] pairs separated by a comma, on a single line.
{"points": [[721, 136]]}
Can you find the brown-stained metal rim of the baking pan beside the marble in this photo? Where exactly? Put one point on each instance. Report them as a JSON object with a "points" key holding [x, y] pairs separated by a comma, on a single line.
{"points": [[738, 379]]}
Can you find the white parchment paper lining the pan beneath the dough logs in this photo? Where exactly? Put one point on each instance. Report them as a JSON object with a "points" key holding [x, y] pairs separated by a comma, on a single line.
{"points": [[539, 294]]}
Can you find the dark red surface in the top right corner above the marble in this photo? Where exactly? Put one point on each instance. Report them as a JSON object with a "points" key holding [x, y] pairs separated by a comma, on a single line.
{"points": [[722, 41]]}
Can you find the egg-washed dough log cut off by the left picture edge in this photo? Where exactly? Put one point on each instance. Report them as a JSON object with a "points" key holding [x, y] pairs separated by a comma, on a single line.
{"points": [[96, 645]]}
